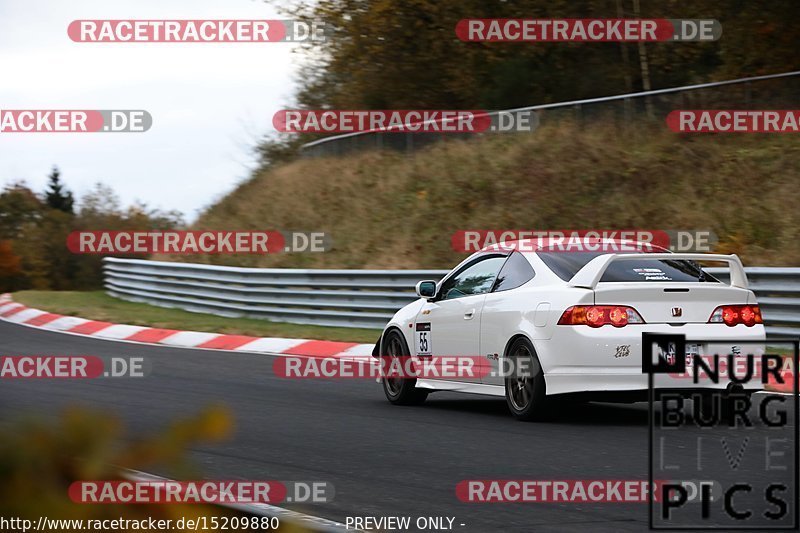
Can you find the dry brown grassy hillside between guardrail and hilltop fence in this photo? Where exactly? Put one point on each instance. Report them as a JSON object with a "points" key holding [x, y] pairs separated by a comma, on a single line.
{"points": [[391, 210]]}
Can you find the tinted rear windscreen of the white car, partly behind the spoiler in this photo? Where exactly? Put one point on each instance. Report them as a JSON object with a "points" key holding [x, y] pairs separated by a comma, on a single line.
{"points": [[567, 264]]}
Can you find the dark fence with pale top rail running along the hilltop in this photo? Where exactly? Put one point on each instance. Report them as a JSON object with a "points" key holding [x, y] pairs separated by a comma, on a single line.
{"points": [[657, 102]]}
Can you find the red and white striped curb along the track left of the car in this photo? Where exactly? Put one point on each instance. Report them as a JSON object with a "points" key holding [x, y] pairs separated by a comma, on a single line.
{"points": [[17, 313]]}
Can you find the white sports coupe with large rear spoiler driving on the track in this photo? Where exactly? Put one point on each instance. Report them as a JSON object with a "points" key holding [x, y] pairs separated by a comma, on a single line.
{"points": [[576, 317]]}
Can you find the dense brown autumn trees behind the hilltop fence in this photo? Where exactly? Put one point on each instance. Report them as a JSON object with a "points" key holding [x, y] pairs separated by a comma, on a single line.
{"points": [[383, 54]]}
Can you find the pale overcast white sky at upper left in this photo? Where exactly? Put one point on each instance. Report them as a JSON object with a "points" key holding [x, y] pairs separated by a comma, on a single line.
{"points": [[210, 102]]}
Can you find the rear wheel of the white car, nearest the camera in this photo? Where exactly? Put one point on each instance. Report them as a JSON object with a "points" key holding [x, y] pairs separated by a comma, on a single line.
{"points": [[526, 393]]}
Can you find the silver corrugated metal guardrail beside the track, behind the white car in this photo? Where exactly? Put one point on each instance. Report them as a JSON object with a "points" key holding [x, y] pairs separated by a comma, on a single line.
{"points": [[352, 298]]}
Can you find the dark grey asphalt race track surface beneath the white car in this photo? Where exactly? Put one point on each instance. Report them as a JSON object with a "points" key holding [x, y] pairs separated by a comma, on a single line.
{"points": [[383, 460]]}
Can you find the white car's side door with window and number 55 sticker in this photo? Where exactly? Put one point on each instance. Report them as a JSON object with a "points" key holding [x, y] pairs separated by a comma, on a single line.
{"points": [[449, 324]]}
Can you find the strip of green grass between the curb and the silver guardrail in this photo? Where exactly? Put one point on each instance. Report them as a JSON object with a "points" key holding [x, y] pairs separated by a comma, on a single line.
{"points": [[96, 305]]}
